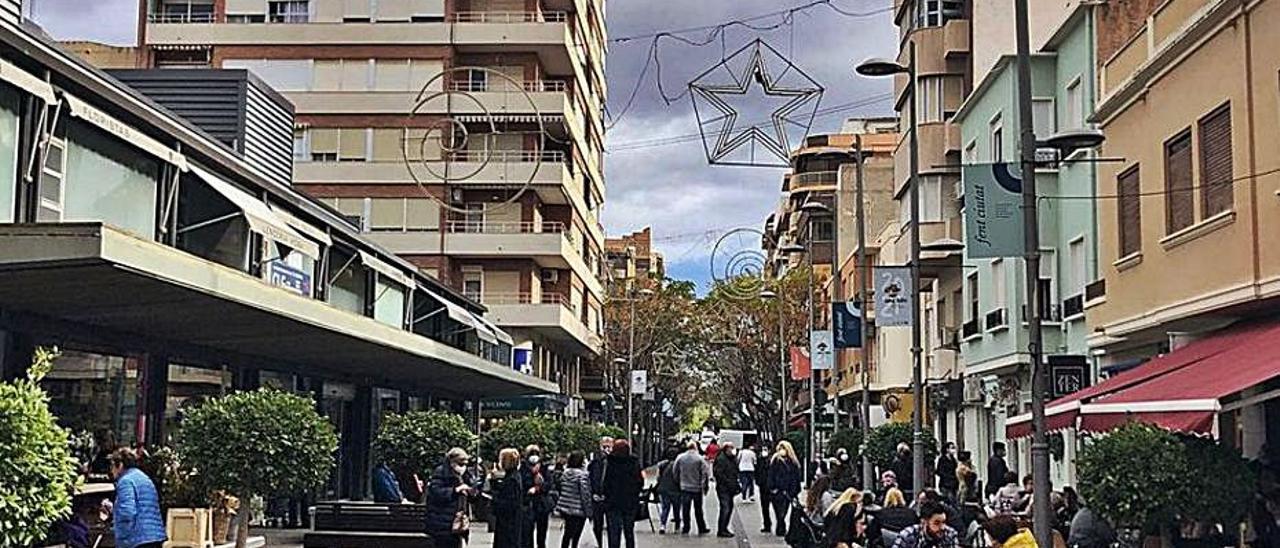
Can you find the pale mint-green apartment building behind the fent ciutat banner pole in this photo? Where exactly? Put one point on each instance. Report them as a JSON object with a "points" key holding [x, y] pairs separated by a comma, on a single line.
{"points": [[994, 339]]}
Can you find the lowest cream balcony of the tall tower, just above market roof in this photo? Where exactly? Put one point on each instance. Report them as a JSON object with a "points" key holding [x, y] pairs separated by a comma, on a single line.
{"points": [[550, 314]]}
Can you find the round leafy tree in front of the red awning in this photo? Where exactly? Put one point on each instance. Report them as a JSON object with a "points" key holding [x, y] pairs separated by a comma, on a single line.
{"points": [[1137, 477]]}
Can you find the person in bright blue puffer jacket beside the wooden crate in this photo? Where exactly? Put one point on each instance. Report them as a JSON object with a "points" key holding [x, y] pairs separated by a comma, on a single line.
{"points": [[136, 519]]}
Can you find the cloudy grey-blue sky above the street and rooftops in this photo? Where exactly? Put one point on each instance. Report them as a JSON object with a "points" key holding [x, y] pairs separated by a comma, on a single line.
{"points": [[656, 168]]}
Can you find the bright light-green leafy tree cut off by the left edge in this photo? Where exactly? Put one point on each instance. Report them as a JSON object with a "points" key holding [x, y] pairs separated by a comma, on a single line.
{"points": [[38, 471]]}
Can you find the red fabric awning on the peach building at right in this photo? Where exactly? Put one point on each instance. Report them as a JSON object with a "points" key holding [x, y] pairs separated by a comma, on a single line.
{"points": [[1180, 391]]}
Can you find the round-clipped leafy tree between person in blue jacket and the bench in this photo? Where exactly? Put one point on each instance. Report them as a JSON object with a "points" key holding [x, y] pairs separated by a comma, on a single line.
{"points": [[267, 444]]}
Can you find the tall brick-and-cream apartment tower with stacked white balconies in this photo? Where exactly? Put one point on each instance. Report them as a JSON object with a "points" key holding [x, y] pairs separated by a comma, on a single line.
{"points": [[491, 181]]}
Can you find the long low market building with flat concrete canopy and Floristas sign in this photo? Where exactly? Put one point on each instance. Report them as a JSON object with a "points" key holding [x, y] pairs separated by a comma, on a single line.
{"points": [[167, 268]]}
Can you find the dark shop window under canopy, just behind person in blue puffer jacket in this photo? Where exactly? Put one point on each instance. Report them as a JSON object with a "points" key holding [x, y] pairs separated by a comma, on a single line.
{"points": [[97, 398]]}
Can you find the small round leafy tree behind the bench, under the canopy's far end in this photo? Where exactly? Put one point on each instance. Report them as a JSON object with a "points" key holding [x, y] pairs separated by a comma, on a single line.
{"points": [[415, 442]]}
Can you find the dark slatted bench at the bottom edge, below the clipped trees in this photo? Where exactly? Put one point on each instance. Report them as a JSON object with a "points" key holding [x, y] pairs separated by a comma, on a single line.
{"points": [[356, 524]]}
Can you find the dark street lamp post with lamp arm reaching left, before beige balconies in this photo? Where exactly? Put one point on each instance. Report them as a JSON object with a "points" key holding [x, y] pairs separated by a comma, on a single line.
{"points": [[880, 68]]}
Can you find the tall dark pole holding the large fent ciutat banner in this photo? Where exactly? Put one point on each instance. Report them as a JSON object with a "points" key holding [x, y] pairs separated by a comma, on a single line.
{"points": [[1031, 229]]}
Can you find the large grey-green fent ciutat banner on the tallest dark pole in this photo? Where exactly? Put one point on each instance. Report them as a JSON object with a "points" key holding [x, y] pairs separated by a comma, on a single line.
{"points": [[994, 212]]}
